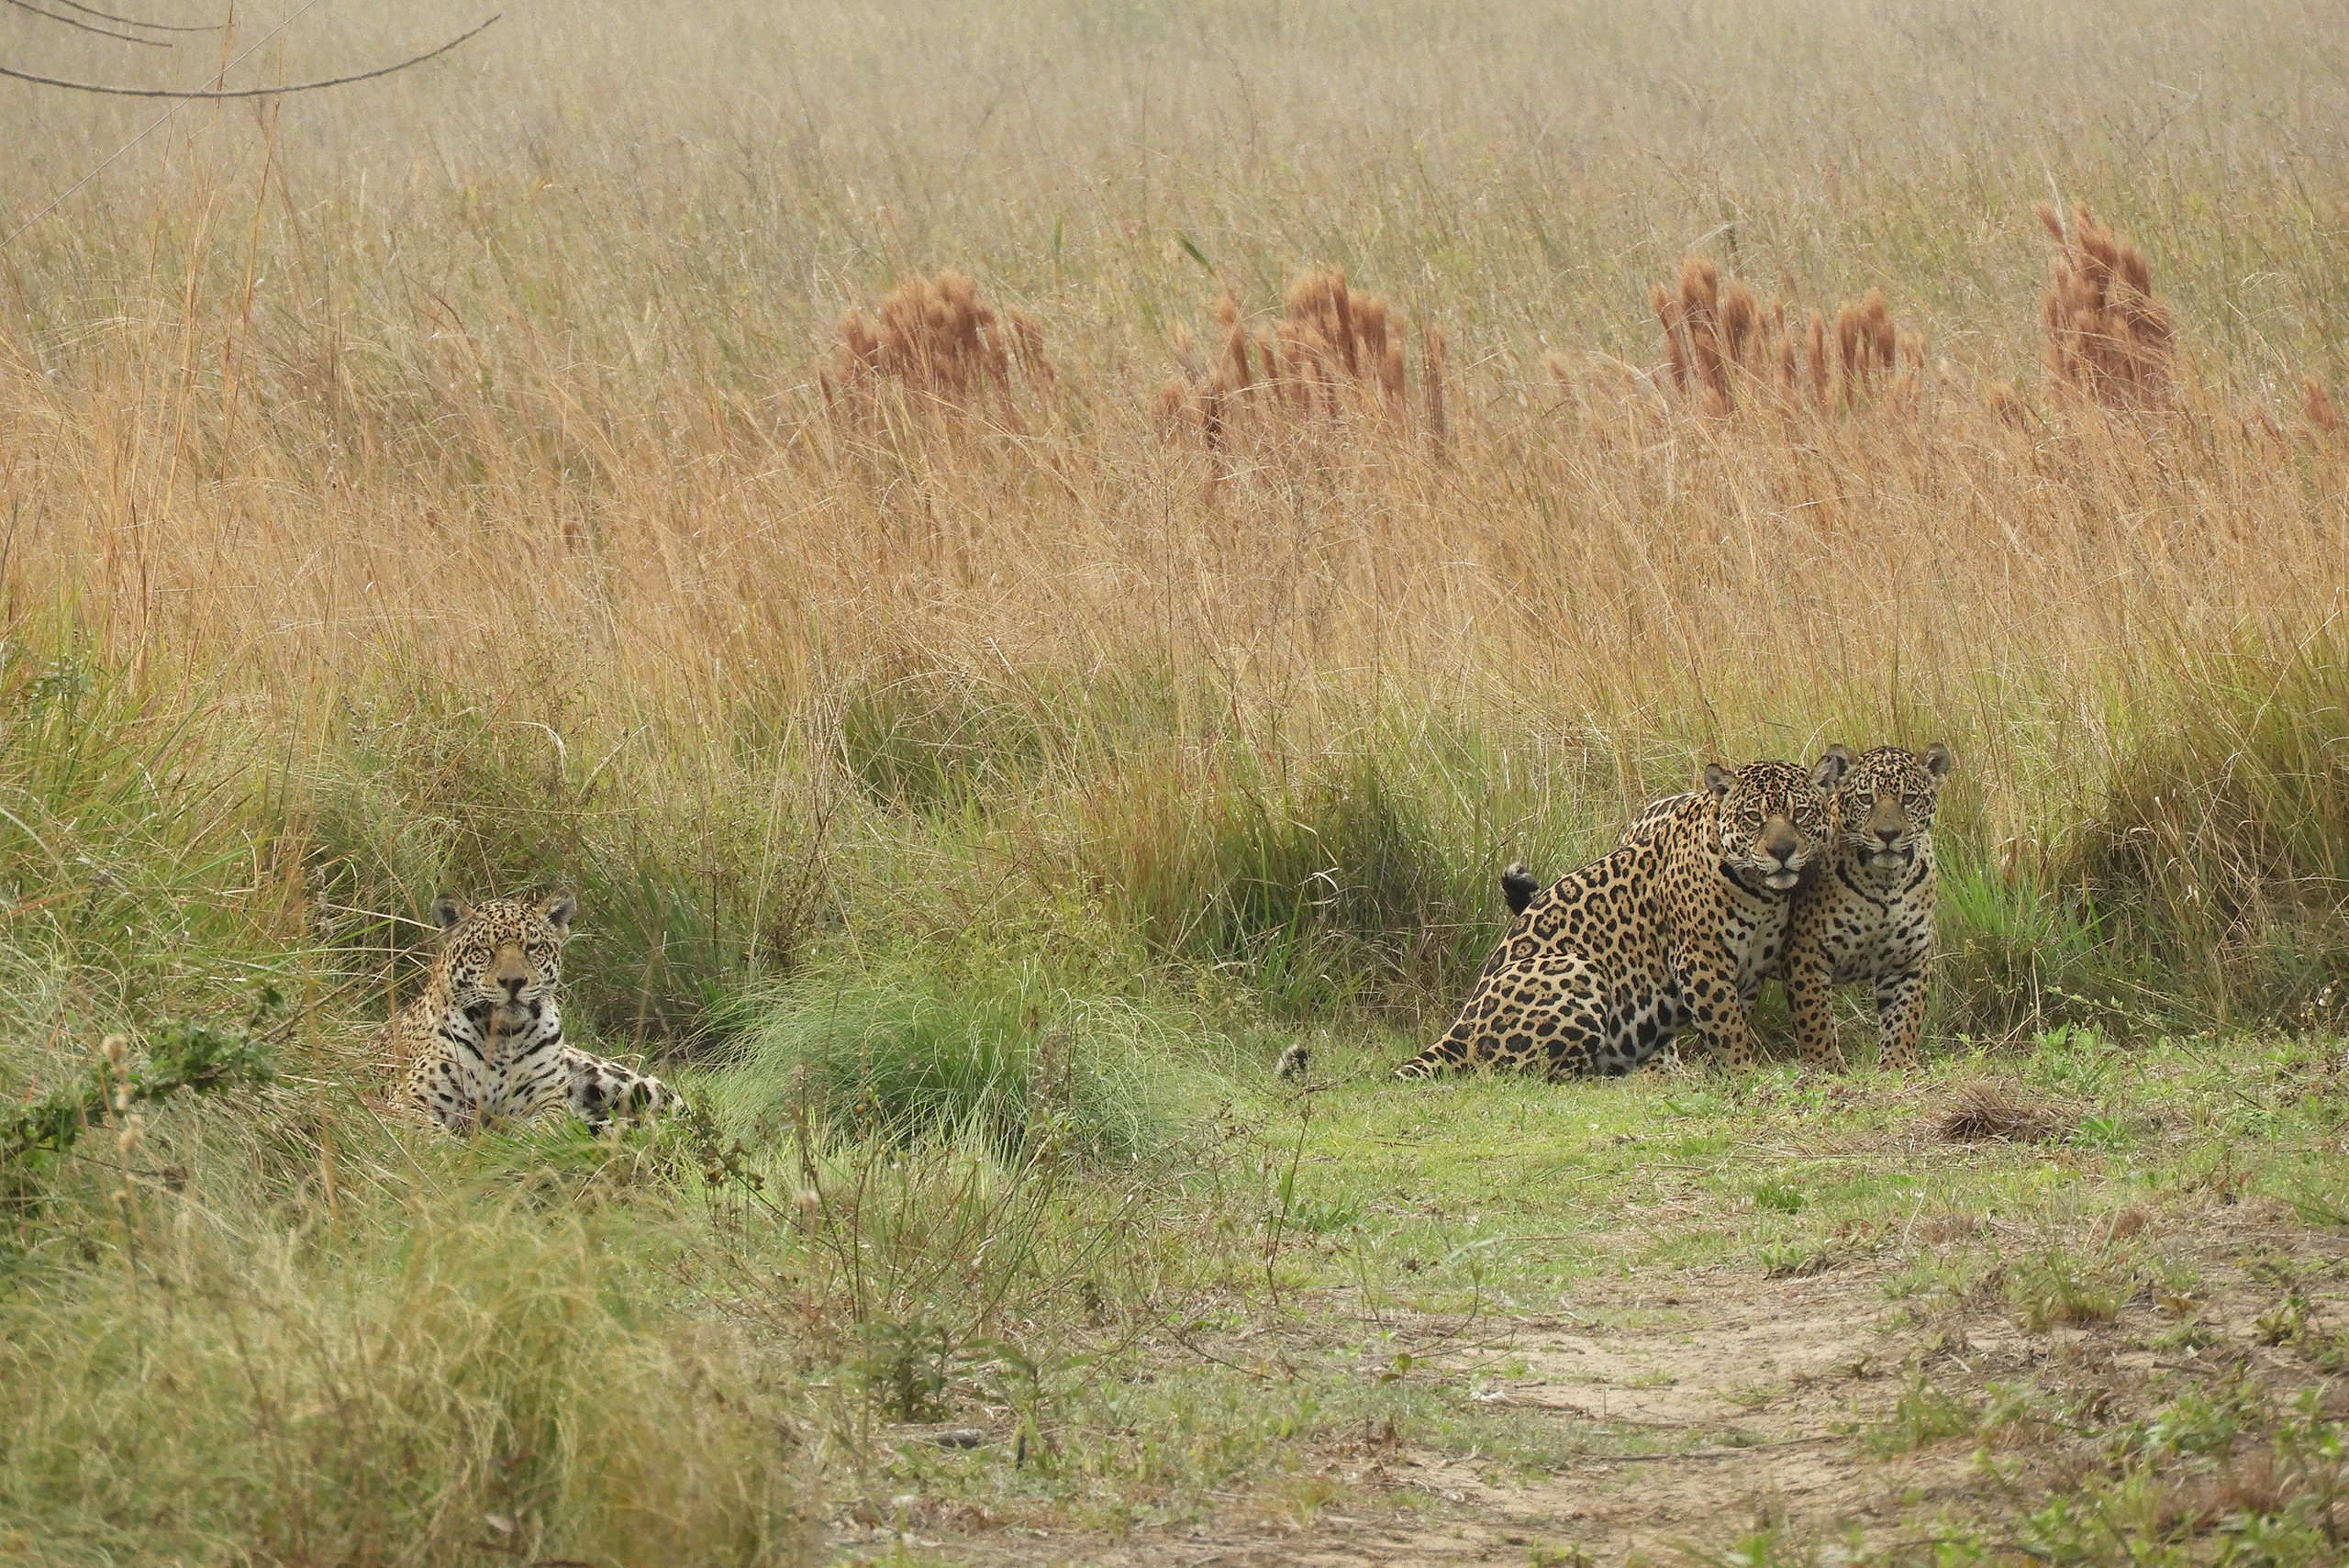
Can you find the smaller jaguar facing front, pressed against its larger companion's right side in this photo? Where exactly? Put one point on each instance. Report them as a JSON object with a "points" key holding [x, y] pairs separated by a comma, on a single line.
{"points": [[1869, 917]]}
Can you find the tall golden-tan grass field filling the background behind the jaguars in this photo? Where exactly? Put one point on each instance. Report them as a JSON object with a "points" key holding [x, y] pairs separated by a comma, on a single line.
{"points": [[466, 442]]}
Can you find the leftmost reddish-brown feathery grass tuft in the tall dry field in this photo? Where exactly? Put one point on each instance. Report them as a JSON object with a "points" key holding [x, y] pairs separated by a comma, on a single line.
{"points": [[943, 344]]}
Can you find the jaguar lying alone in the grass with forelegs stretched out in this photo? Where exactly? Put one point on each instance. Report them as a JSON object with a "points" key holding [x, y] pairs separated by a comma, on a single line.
{"points": [[485, 1041]]}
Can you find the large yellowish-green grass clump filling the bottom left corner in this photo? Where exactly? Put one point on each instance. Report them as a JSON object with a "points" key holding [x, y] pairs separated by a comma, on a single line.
{"points": [[445, 1372]]}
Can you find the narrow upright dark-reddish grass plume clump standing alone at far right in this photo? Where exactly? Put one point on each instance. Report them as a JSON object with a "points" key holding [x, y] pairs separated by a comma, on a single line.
{"points": [[2106, 334]]}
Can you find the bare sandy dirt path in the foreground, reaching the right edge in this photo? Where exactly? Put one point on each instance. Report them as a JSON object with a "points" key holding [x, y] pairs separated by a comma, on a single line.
{"points": [[1723, 1405]]}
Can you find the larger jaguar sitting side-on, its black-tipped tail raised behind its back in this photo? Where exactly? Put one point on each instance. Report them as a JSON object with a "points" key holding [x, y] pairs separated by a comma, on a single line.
{"points": [[1610, 964]]}
